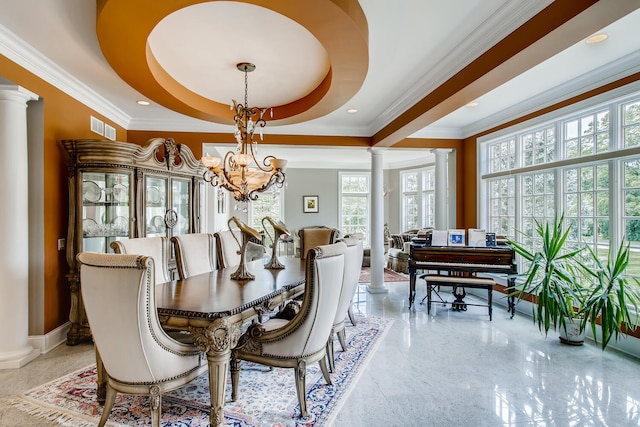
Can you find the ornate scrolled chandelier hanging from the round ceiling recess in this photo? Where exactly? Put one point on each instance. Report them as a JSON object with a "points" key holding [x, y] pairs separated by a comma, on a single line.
{"points": [[240, 172]]}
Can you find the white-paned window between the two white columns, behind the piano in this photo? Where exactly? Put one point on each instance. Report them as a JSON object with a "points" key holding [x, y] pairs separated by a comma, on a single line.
{"points": [[418, 196]]}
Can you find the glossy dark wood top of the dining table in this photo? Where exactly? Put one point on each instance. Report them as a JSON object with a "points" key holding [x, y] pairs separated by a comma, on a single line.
{"points": [[216, 294]]}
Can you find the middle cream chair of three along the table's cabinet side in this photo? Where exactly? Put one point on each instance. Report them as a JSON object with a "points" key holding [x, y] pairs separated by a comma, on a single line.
{"points": [[194, 253]]}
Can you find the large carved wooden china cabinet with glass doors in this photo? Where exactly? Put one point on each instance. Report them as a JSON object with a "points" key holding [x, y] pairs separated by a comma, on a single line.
{"points": [[119, 190]]}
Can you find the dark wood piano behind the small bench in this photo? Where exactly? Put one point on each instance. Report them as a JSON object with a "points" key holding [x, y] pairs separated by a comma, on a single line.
{"points": [[462, 260]]}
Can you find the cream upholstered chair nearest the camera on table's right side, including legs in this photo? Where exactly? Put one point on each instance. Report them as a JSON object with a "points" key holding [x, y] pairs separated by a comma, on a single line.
{"points": [[302, 340]]}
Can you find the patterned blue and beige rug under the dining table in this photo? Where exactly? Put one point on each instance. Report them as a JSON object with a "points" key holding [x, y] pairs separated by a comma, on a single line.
{"points": [[266, 397]]}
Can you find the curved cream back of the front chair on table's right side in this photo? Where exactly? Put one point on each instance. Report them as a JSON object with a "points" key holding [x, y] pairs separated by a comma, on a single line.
{"points": [[307, 333]]}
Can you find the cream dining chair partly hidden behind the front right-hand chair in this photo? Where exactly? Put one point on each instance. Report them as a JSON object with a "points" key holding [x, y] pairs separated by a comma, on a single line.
{"points": [[352, 267]]}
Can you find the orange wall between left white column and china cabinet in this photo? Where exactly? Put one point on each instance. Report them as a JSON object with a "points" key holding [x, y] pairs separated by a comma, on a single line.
{"points": [[64, 117]]}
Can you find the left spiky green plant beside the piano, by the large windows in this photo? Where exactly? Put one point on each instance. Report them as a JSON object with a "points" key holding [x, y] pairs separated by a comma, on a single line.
{"points": [[552, 277]]}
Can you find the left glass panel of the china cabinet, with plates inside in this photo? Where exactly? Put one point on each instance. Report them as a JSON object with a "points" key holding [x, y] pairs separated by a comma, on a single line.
{"points": [[106, 209]]}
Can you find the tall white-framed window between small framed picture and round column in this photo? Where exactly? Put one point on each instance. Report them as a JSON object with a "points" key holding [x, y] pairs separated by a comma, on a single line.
{"points": [[354, 203]]}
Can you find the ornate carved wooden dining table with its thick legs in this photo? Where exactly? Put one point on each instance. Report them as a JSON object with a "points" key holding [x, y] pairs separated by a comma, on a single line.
{"points": [[212, 307]]}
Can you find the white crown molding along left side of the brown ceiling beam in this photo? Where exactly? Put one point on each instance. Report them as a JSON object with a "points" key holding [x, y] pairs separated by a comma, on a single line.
{"points": [[498, 26]]}
